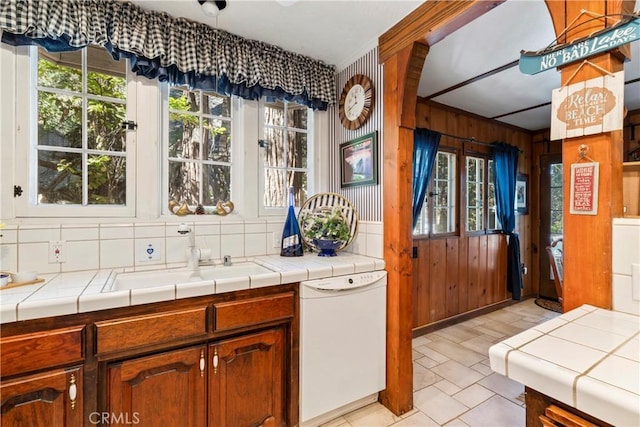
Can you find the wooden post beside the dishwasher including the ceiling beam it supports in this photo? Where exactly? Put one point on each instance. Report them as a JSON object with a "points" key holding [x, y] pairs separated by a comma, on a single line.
{"points": [[403, 50]]}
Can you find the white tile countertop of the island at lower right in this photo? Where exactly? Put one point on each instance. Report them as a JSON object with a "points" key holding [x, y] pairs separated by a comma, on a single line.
{"points": [[587, 358]]}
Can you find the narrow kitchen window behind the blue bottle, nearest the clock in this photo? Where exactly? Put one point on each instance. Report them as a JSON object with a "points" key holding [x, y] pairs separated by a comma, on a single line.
{"points": [[285, 150]]}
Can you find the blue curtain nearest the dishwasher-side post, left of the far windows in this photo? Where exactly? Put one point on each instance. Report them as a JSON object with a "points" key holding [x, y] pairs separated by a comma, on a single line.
{"points": [[425, 148]]}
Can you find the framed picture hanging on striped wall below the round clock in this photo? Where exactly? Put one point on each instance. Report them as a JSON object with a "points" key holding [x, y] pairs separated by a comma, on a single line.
{"points": [[359, 161]]}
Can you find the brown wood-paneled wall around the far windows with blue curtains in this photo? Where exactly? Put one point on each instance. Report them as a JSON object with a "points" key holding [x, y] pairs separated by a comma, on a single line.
{"points": [[459, 274]]}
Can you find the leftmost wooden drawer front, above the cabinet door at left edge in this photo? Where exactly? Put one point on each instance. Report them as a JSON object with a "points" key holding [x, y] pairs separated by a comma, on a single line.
{"points": [[24, 353]]}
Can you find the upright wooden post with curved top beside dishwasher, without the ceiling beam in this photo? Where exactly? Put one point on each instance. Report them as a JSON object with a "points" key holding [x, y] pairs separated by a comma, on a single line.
{"points": [[401, 76]]}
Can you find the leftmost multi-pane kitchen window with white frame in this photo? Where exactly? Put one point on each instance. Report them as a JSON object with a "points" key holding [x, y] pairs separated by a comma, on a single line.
{"points": [[79, 157]]}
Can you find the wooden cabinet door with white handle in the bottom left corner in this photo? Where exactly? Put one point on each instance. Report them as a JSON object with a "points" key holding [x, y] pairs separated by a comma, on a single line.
{"points": [[51, 399]]}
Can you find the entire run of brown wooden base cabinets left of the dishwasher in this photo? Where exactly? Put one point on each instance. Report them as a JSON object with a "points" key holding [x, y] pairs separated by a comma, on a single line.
{"points": [[216, 360]]}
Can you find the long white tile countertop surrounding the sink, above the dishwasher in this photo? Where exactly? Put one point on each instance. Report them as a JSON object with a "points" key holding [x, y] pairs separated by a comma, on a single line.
{"points": [[84, 291]]}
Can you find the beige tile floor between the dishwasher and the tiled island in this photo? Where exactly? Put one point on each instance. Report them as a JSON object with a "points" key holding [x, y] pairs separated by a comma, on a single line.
{"points": [[453, 384]]}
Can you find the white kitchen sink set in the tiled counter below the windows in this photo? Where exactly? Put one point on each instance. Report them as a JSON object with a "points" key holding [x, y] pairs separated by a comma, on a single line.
{"points": [[174, 276]]}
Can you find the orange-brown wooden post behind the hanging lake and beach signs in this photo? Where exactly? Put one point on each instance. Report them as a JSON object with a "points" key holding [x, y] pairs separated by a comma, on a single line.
{"points": [[587, 238]]}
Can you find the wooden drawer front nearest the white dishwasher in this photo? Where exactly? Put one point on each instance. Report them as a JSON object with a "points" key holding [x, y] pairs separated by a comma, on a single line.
{"points": [[253, 311]]}
